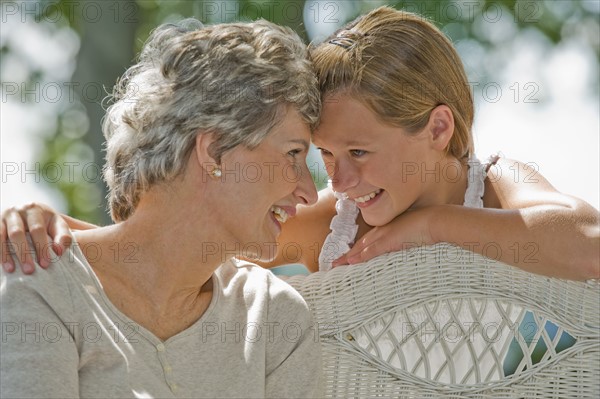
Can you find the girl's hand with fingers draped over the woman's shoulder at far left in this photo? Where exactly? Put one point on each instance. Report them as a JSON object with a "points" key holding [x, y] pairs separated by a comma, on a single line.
{"points": [[40, 221]]}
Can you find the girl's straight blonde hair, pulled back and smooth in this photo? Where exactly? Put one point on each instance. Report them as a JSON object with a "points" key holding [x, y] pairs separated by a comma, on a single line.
{"points": [[401, 67]]}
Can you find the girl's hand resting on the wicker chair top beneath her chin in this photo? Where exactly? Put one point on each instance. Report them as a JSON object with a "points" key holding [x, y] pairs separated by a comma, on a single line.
{"points": [[410, 229]]}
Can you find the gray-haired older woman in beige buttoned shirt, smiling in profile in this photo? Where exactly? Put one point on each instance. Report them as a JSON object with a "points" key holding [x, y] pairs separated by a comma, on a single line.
{"points": [[206, 147]]}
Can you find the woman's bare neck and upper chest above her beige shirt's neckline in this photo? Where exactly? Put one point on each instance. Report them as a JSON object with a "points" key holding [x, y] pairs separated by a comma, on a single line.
{"points": [[152, 269]]}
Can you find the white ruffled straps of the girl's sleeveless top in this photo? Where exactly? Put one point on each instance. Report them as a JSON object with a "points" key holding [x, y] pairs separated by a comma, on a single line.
{"points": [[344, 228]]}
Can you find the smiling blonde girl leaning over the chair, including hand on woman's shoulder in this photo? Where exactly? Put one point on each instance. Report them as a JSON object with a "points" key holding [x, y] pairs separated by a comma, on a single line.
{"points": [[395, 134]]}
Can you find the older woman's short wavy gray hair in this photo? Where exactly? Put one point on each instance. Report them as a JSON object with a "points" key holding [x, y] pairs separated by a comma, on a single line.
{"points": [[233, 80]]}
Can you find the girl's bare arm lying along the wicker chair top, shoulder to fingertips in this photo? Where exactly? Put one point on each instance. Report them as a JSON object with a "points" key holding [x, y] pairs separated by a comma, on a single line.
{"points": [[526, 223]]}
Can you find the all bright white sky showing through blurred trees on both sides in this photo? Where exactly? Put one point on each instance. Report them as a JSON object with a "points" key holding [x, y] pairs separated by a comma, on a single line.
{"points": [[560, 134]]}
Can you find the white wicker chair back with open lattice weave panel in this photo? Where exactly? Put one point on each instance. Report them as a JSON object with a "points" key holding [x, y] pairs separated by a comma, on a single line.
{"points": [[441, 322]]}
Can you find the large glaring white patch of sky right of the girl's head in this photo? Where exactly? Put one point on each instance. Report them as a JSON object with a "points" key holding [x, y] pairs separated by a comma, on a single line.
{"points": [[561, 134]]}
